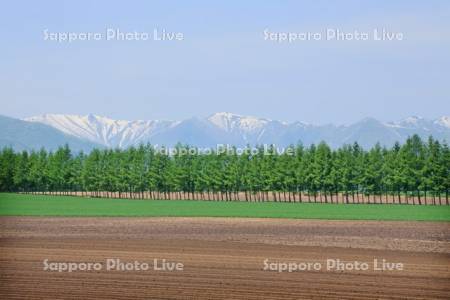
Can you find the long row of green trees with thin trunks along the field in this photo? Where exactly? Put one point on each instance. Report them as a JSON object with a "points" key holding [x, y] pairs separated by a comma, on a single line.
{"points": [[416, 172]]}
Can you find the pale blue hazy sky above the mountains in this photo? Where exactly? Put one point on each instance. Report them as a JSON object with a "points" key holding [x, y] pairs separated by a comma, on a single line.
{"points": [[224, 63]]}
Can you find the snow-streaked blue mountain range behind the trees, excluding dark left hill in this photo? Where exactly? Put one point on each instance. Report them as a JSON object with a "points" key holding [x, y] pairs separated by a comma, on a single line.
{"points": [[228, 128]]}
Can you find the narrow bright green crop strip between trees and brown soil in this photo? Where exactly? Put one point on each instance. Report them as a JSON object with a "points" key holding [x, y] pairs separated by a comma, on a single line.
{"points": [[30, 205]]}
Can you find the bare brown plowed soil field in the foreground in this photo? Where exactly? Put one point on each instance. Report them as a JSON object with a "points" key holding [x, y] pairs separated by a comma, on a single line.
{"points": [[223, 258]]}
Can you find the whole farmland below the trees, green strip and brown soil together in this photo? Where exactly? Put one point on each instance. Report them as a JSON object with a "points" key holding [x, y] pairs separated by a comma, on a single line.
{"points": [[223, 247]]}
